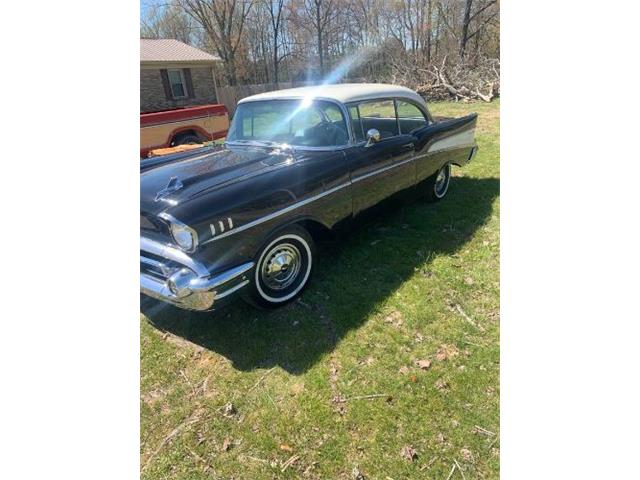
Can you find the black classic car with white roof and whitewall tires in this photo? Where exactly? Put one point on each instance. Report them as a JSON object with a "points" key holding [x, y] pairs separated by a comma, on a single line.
{"points": [[220, 222]]}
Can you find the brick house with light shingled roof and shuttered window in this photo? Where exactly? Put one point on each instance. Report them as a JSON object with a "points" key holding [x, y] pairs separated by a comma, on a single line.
{"points": [[174, 74]]}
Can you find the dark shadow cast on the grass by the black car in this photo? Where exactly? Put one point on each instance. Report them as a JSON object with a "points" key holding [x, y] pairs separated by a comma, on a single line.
{"points": [[352, 279]]}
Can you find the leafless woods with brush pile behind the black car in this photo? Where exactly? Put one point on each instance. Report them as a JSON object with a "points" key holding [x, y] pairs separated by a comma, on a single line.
{"points": [[445, 48]]}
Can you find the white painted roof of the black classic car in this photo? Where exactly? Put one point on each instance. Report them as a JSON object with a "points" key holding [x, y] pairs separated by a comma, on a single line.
{"points": [[342, 92]]}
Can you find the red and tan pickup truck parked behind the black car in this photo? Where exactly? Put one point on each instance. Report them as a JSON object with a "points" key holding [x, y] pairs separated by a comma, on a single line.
{"points": [[182, 126]]}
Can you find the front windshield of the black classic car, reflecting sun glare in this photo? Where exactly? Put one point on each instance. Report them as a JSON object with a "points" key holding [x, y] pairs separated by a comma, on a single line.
{"points": [[293, 122]]}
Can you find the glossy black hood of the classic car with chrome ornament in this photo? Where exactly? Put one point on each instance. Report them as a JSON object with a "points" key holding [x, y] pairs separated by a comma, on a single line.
{"points": [[186, 177]]}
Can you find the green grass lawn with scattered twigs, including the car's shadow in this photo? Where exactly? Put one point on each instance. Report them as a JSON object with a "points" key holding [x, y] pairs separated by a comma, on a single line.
{"points": [[329, 386]]}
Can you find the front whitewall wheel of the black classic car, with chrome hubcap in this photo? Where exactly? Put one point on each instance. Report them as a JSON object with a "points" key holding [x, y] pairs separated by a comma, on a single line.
{"points": [[283, 268]]}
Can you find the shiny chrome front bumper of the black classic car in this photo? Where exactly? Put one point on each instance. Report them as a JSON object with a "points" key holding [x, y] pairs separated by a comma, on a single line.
{"points": [[184, 282]]}
